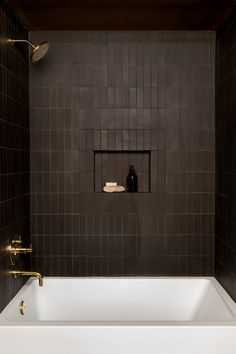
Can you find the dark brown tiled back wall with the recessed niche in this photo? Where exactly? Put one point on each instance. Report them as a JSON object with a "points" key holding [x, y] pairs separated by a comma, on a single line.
{"points": [[108, 92]]}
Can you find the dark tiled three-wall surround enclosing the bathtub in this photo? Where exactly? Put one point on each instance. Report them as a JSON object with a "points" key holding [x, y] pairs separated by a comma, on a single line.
{"points": [[143, 96]]}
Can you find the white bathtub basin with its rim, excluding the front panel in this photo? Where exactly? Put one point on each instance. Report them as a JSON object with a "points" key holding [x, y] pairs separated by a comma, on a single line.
{"points": [[122, 299]]}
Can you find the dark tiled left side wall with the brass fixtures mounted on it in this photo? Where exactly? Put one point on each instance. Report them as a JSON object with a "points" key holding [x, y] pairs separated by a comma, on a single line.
{"points": [[14, 149]]}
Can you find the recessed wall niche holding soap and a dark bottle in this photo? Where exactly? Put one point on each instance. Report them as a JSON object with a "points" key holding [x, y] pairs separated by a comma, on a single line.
{"points": [[113, 166]]}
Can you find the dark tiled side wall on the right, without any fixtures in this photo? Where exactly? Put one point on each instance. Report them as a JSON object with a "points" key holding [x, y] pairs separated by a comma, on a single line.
{"points": [[225, 262]]}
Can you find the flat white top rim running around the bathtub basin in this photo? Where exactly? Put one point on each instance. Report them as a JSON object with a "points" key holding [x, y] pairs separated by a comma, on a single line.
{"points": [[53, 323]]}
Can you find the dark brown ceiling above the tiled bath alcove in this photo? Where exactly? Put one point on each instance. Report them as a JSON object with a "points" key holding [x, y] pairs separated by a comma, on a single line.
{"points": [[123, 14]]}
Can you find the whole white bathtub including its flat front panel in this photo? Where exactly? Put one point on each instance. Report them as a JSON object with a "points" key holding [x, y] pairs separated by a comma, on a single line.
{"points": [[120, 316]]}
